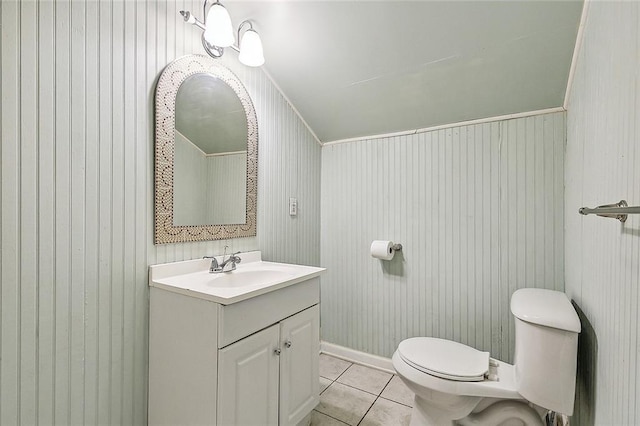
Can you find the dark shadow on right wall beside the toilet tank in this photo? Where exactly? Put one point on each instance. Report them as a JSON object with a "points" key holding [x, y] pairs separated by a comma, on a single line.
{"points": [[585, 405]]}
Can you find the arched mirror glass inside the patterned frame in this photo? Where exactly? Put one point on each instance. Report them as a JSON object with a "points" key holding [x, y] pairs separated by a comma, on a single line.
{"points": [[210, 164]]}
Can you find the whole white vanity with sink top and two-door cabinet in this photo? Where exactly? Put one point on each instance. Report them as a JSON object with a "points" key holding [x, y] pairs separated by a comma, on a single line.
{"points": [[234, 348]]}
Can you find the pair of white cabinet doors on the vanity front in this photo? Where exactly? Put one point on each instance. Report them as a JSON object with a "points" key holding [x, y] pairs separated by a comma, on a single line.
{"points": [[271, 377]]}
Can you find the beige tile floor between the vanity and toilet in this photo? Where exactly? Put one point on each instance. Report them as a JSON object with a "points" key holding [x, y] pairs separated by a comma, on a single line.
{"points": [[351, 394]]}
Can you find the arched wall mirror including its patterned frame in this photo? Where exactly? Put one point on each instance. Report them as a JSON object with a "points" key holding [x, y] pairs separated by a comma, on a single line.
{"points": [[206, 153]]}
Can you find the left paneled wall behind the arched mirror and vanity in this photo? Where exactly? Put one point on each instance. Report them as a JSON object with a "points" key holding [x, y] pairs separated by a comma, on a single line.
{"points": [[76, 200]]}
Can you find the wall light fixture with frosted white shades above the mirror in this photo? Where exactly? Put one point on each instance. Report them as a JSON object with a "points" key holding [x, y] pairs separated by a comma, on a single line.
{"points": [[218, 34]]}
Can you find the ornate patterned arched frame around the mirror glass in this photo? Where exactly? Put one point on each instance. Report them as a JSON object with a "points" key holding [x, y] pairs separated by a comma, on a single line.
{"points": [[166, 90]]}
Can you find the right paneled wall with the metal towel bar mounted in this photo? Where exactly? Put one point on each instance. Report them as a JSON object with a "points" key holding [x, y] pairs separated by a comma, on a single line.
{"points": [[603, 255]]}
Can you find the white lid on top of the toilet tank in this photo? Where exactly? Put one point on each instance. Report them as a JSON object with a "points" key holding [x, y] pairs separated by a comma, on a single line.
{"points": [[545, 307]]}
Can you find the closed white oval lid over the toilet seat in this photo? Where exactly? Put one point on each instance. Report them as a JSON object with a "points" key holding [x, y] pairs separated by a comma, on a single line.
{"points": [[445, 358]]}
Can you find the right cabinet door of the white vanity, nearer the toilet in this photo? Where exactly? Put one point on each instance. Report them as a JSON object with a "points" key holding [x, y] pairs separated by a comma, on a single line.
{"points": [[299, 365]]}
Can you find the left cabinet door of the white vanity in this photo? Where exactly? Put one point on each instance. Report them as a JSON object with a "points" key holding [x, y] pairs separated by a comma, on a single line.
{"points": [[248, 380]]}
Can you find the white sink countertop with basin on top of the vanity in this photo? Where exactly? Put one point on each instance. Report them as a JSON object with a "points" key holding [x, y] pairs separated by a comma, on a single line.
{"points": [[252, 277]]}
